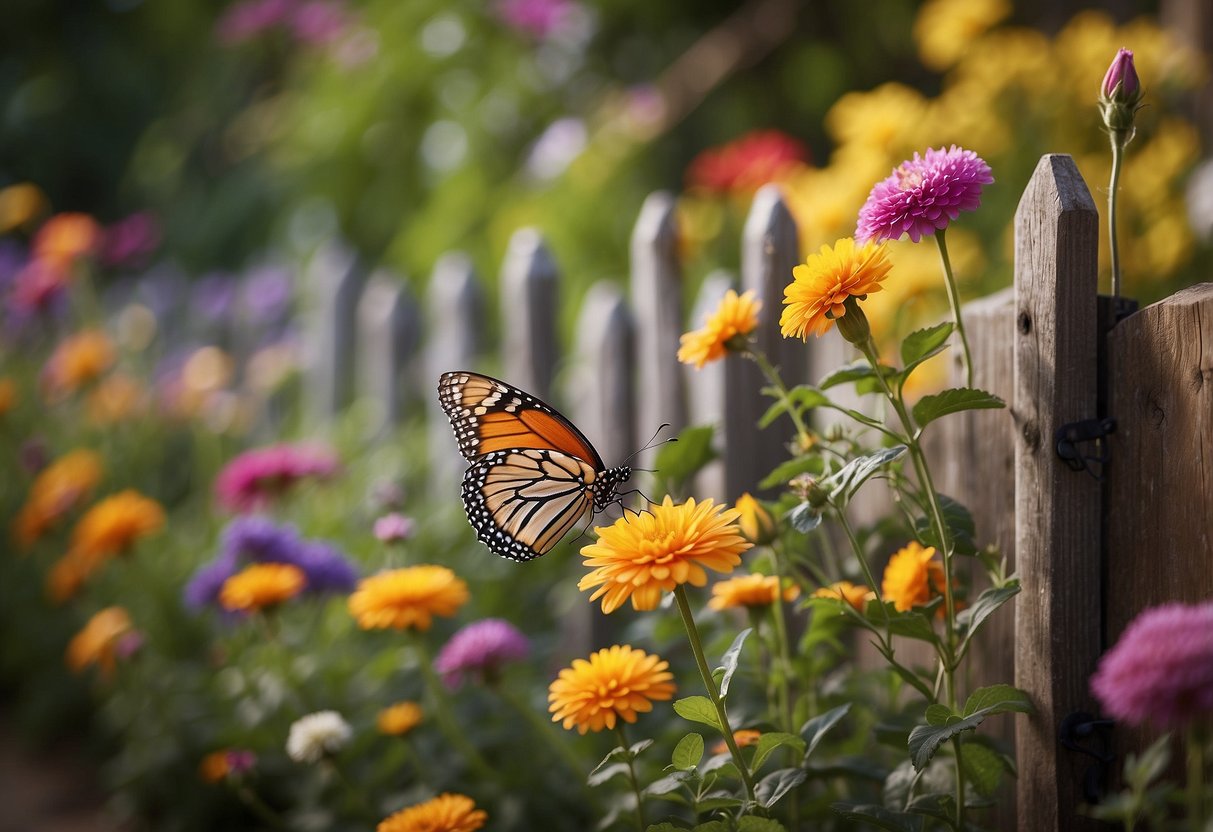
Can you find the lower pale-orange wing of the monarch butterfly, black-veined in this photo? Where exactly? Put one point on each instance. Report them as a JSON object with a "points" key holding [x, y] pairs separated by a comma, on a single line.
{"points": [[522, 502]]}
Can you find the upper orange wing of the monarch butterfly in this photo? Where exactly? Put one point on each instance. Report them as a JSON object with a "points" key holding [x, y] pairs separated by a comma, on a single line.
{"points": [[489, 415]]}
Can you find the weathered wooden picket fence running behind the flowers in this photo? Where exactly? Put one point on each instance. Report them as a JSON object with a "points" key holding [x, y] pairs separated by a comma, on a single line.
{"points": [[1094, 546]]}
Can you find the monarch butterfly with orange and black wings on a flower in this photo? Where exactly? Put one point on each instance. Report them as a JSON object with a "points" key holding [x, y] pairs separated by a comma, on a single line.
{"points": [[534, 475]]}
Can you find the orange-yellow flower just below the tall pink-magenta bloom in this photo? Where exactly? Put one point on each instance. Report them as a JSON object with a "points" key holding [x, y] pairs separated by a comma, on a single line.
{"points": [[822, 286]]}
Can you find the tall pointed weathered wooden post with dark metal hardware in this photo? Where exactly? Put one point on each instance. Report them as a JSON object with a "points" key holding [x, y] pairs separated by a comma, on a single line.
{"points": [[1057, 510]]}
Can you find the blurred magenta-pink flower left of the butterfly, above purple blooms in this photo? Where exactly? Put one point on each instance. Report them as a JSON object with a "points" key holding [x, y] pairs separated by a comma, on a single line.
{"points": [[257, 477]]}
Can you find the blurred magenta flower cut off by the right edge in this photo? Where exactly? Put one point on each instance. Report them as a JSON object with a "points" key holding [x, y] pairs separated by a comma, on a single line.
{"points": [[1161, 670]]}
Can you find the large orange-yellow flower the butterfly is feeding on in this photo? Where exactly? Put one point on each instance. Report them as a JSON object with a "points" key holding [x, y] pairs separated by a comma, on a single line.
{"points": [[641, 556]]}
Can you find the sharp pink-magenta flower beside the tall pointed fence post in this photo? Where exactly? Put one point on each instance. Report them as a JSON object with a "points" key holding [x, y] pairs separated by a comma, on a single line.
{"points": [[922, 196]]}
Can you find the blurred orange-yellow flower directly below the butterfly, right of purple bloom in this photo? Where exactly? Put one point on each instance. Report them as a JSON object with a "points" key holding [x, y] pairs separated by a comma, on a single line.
{"points": [[407, 599]]}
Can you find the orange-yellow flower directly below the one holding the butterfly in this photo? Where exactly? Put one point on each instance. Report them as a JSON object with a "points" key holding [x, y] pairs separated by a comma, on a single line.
{"points": [[616, 683]]}
